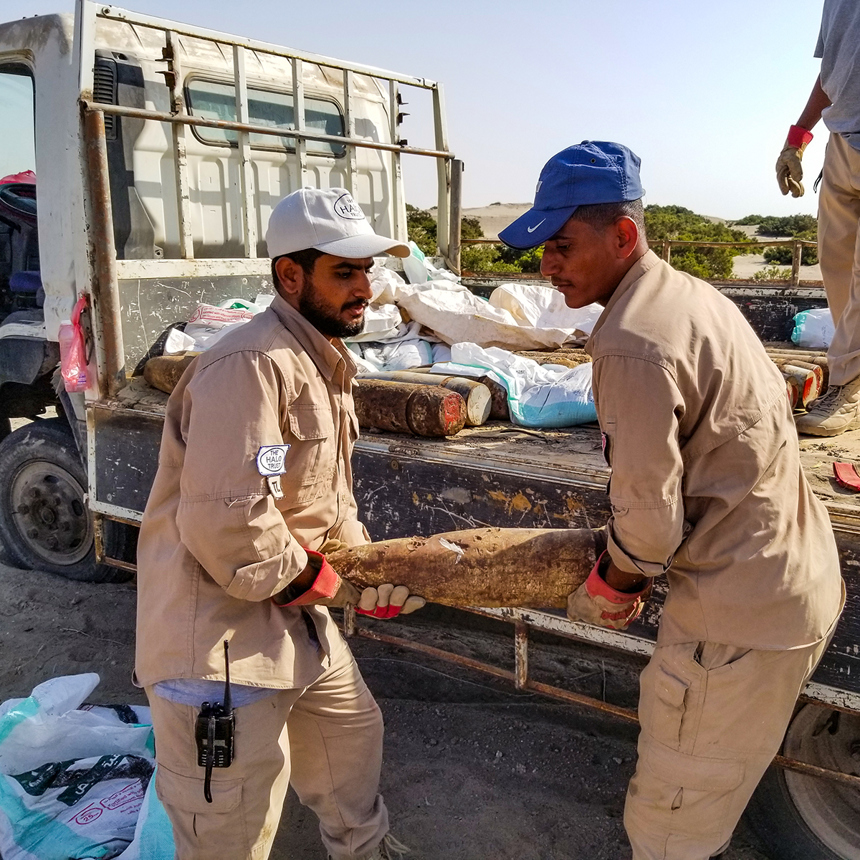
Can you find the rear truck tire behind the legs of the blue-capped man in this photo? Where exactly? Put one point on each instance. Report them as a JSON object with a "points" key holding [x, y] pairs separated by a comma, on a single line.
{"points": [[802, 817]]}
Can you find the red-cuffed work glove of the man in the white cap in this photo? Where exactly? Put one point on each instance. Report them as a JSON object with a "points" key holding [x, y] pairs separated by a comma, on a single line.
{"points": [[320, 585]]}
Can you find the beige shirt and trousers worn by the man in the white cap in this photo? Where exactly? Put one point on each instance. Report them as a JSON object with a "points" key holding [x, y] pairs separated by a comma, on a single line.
{"points": [[215, 545]]}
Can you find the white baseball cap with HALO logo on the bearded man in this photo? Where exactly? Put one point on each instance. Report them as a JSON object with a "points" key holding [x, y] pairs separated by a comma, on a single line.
{"points": [[328, 220]]}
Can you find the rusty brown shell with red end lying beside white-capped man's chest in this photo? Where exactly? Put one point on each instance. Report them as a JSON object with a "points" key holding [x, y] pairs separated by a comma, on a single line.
{"points": [[400, 407]]}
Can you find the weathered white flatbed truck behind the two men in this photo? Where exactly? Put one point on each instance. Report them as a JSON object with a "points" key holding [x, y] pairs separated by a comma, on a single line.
{"points": [[160, 150]]}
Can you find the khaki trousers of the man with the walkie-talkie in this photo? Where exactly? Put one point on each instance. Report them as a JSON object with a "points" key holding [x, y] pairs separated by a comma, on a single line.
{"points": [[325, 740]]}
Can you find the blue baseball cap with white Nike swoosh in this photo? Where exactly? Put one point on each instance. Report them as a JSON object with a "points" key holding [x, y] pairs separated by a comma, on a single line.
{"points": [[594, 171]]}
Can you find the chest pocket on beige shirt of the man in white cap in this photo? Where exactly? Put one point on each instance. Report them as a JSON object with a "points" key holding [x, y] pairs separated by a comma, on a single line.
{"points": [[312, 456]]}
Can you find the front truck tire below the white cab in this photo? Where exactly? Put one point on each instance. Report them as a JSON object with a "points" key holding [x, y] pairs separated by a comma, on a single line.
{"points": [[44, 520]]}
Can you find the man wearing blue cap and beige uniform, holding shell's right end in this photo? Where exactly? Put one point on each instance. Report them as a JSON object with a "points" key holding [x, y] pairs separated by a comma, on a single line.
{"points": [[706, 488]]}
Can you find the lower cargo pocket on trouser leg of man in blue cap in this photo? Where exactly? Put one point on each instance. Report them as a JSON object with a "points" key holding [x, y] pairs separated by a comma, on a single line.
{"points": [[696, 792]]}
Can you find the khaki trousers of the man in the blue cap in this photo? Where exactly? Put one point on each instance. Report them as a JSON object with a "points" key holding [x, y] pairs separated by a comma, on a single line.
{"points": [[713, 717]]}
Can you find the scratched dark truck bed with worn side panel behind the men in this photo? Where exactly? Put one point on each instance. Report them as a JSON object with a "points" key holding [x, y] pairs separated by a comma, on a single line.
{"points": [[498, 474]]}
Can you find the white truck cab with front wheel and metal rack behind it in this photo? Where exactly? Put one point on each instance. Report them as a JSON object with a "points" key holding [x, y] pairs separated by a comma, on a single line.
{"points": [[156, 152]]}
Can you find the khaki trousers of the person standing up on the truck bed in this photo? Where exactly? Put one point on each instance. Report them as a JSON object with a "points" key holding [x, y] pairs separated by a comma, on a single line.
{"points": [[839, 252]]}
